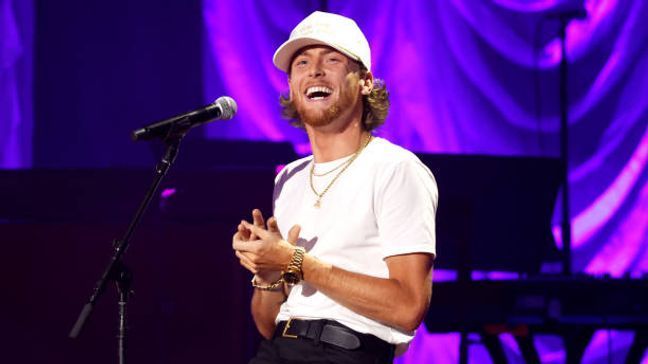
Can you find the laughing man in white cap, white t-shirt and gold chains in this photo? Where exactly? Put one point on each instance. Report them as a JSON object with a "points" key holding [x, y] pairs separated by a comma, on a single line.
{"points": [[343, 273]]}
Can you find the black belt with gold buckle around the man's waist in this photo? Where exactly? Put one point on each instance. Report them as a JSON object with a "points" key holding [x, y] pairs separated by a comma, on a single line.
{"points": [[331, 332]]}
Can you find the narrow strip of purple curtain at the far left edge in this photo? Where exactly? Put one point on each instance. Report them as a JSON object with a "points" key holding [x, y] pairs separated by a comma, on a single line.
{"points": [[16, 31]]}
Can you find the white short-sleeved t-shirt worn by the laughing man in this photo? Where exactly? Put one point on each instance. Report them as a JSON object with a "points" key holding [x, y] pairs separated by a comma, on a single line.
{"points": [[384, 204]]}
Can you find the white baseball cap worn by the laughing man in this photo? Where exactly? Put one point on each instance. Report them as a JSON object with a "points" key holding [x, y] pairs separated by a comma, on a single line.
{"points": [[329, 29]]}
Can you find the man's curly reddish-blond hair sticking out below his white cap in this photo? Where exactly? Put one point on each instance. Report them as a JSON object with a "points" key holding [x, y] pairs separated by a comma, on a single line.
{"points": [[375, 106]]}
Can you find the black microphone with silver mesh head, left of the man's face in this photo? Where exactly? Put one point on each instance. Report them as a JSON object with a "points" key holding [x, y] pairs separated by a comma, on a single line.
{"points": [[223, 108]]}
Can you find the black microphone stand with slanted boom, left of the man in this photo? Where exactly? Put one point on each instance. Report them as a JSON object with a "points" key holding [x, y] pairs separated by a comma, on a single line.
{"points": [[116, 270]]}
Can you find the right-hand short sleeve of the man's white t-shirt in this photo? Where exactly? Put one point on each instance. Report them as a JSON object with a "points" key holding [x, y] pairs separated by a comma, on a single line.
{"points": [[406, 202]]}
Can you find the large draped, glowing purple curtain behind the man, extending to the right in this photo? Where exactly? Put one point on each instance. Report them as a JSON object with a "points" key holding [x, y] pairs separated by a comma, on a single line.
{"points": [[479, 77]]}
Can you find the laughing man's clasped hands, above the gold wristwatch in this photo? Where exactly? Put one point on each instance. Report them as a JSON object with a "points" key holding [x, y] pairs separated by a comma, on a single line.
{"points": [[261, 249]]}
